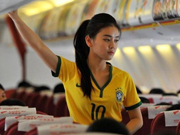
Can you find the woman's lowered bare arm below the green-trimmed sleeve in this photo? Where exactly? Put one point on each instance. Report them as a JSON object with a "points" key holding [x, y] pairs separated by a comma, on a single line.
{"points": [[136, 121]]}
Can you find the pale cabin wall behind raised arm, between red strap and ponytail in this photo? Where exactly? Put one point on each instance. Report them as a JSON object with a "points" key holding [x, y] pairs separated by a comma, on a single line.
{"points": [[37, 72]]}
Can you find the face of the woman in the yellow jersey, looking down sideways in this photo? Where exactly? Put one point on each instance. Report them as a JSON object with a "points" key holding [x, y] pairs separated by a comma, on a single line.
{"points": [[105, 43]]}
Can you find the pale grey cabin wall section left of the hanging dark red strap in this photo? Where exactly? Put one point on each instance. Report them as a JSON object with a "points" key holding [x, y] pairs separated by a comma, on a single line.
{"points": [[10, 66]]}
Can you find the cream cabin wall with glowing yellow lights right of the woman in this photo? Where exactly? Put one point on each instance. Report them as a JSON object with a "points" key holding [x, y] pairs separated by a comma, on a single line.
{"points": [[152, 68]]}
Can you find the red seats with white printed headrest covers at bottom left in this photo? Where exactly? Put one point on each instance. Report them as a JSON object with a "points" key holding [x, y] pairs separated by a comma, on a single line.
{"points": [[37, 123]]}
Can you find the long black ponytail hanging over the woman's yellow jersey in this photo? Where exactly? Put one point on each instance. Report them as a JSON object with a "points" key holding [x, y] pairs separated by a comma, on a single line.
{"points": [[81, 55]]}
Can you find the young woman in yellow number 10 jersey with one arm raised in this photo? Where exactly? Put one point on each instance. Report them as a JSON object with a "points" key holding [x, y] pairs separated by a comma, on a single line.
{"points": [[94, 88]]}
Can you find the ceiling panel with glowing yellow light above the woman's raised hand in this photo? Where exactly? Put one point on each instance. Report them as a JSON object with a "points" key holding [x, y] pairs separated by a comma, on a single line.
{"points": [[30, 7]]}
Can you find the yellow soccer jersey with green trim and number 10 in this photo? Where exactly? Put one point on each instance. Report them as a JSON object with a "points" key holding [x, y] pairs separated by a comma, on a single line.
{"points": [[105, 102]]}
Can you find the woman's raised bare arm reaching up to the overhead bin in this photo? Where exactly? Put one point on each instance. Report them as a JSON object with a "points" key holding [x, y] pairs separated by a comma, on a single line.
{"points": [[34, 41]]}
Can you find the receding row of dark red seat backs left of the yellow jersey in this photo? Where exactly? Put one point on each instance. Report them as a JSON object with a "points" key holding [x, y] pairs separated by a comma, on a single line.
{"points": [[50, 104]]}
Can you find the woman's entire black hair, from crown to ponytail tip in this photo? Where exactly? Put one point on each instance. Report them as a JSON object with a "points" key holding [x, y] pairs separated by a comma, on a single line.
{"points": [[91, 28]]}
